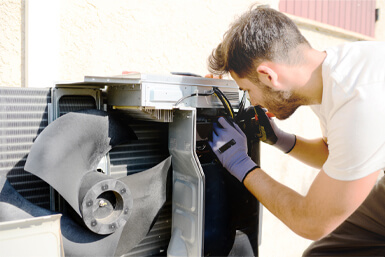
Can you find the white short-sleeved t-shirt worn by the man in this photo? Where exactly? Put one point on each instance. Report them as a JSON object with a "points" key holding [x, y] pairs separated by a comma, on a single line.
{"points": [[352, 113]]}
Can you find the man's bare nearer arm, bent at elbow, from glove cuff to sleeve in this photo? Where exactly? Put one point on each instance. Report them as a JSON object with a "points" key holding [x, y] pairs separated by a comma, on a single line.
{"points": [[326, 205]]}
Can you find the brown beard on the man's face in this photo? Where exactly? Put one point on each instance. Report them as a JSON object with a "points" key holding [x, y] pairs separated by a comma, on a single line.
{"points": [[281, 103]]}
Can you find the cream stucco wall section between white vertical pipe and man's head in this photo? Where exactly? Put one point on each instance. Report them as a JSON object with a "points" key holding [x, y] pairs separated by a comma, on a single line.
{"points": [[100, 37]]}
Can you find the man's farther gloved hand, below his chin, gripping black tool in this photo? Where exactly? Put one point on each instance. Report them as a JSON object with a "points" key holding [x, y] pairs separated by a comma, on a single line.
{"points": [[271, 134]]}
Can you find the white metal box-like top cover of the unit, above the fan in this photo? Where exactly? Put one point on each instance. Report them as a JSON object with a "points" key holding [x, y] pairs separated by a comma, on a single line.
{"points": [[165, 92]]}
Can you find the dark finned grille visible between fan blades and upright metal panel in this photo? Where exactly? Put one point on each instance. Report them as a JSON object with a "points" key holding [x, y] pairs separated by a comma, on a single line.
{"points": [[150, 149]]}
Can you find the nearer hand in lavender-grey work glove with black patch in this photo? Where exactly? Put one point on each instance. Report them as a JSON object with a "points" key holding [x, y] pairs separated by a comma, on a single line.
{"points": [[229, 143]]}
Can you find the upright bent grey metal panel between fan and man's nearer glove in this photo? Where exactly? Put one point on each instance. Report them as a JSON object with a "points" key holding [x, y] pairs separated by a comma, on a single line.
{"points": [[188, 188]]}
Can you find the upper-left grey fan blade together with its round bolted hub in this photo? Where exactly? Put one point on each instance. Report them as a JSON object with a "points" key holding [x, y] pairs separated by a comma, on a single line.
{"points": [[66, 155]]}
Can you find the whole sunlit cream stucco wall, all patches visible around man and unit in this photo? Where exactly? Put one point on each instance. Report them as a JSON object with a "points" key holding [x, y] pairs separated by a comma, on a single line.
{"points": [[98, 37]]}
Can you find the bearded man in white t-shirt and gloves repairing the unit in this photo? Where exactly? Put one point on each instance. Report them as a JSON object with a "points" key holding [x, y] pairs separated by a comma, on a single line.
{"points": [[267, 56]]}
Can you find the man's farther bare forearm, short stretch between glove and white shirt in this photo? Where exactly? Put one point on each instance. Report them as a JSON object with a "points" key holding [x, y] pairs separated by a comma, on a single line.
{"points": [[312, 152]]}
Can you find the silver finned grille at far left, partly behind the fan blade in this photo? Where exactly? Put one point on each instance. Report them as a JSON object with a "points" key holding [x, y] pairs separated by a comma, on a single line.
{"points": [[23, 115]]}
